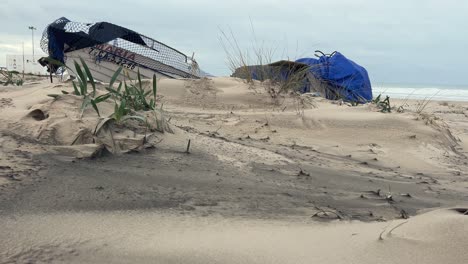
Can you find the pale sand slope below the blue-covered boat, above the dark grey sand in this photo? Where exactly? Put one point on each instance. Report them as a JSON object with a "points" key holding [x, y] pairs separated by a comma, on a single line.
{"points": [[238, 111]]}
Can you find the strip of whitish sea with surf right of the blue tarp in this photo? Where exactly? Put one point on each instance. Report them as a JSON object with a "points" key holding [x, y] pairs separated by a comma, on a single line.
{"points": [[432, 92]]}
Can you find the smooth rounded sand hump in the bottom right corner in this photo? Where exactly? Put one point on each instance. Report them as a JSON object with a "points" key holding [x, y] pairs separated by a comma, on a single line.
{"points": [[435, 237]]}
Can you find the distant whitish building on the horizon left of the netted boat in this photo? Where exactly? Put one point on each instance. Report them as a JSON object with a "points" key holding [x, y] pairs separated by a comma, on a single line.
{"points": [[31, 66]]}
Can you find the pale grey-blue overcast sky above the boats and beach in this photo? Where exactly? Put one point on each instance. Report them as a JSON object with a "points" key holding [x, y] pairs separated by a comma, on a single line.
{"points": [[398, 41]]}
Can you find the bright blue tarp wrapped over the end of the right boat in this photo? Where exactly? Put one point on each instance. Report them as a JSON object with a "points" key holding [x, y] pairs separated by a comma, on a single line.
{"points": [[346, 79]]}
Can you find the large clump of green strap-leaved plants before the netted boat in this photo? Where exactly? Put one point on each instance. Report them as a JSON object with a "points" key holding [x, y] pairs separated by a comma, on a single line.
{"points": [[131, 102]]}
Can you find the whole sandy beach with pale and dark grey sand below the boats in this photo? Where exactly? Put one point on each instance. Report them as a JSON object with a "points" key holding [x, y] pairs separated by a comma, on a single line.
{"points": [[300, 180]]}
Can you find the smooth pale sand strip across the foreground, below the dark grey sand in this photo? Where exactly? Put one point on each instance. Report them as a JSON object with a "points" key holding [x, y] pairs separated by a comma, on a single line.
{"points": [[145, 237]]}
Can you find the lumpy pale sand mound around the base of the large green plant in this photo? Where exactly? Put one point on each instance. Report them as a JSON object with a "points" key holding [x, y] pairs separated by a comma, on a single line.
{"points": [[63, 123]]}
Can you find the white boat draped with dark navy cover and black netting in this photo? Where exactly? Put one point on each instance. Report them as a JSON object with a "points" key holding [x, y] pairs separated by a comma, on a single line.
{"points": [[106, 42]]}
